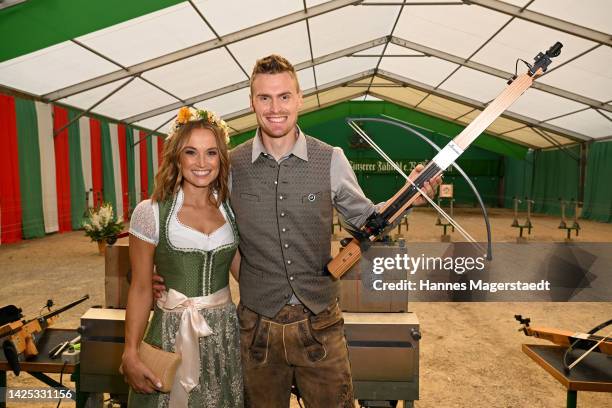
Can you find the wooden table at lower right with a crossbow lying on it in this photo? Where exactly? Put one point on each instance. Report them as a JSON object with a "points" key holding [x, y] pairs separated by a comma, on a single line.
{"points": [[593, 373]]}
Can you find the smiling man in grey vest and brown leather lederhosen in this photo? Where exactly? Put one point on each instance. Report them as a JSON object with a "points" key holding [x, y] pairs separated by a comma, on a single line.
{"points": [[284, 185]]}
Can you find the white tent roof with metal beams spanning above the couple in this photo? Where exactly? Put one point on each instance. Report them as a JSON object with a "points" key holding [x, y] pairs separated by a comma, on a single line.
{"points": [[448, 59]]}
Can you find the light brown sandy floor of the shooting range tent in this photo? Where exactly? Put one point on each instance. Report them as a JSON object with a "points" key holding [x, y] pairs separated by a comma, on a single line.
{"points": [[470, 352]]}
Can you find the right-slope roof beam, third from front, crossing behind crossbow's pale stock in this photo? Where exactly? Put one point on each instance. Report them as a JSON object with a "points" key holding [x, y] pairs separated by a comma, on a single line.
{"points": [[477, 104]]}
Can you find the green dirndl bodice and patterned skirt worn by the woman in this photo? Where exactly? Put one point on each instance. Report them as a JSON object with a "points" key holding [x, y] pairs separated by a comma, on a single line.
{"points": [[196, 273]]}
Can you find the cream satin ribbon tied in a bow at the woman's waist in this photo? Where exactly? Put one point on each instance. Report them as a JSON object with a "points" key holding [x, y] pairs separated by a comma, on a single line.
{"points": [[192, 326]]}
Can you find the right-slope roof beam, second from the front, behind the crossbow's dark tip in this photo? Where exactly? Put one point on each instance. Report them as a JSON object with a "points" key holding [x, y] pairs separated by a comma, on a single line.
{"points": [[498, 73]]}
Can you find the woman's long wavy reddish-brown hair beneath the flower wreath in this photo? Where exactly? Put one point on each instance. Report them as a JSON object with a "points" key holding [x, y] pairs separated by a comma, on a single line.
{"points": [[169, 177]]}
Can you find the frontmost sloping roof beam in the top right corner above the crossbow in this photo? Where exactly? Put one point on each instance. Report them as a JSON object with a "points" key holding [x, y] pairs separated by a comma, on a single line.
{"points": [[548, 21]]}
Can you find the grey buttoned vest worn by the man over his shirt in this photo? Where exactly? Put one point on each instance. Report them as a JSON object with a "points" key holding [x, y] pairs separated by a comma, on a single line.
{"points": [[284, 215]]}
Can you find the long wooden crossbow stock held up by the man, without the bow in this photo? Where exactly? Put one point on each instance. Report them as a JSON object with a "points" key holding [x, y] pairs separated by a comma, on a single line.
{"points": [[396, 206]]}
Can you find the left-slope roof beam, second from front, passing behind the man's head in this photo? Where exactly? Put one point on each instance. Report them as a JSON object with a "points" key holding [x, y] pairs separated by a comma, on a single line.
{"points": [[245, 84]]}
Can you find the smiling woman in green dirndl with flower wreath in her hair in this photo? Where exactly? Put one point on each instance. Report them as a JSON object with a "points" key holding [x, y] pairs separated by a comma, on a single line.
{"points": [[187, 231]]}
